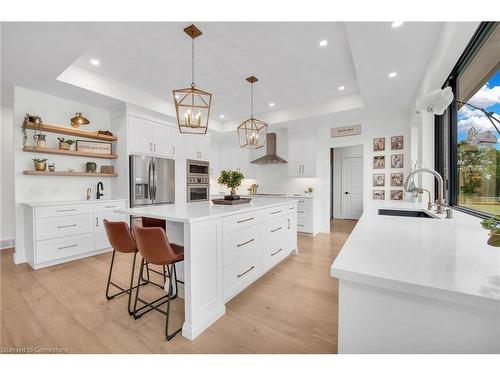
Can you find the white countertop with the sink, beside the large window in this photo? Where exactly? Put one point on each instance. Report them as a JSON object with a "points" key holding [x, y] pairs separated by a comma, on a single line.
{"points": [[445, 259]]}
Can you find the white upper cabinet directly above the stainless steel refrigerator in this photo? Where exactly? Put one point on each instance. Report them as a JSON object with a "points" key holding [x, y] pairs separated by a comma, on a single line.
{"points": [[149, 137]]}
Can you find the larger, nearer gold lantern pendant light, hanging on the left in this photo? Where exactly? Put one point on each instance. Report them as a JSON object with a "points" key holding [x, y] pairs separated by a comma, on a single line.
{"points": [[192, 105]]}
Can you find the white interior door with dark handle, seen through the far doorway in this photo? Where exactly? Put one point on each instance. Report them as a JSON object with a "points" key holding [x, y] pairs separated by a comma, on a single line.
{"points": [[352, 187]]}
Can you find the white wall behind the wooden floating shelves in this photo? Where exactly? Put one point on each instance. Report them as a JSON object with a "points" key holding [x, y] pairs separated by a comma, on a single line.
{"points": [[56, 111]]}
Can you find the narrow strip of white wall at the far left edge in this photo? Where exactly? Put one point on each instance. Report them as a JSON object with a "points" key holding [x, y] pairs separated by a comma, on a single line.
{"points": [[7, 225]]}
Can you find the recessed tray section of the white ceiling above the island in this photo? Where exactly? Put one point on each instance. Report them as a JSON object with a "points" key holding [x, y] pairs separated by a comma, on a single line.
{"points": [[286, 58]]}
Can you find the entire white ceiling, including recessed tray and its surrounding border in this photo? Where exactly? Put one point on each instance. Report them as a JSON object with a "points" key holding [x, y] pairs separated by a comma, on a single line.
{"points": [[293, 70]]}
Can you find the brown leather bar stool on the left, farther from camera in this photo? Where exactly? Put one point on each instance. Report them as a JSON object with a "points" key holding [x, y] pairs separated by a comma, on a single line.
{"points": [[120, 238]]}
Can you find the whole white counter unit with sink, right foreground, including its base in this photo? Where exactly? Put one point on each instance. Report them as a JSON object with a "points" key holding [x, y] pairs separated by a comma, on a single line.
{"points": [[418, 285]]}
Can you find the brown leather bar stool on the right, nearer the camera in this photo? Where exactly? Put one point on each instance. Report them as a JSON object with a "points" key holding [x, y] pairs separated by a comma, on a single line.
{"points": [[155, 249]]}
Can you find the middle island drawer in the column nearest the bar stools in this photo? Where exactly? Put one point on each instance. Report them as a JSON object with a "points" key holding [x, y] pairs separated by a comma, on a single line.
{"points": [[238, 244]]}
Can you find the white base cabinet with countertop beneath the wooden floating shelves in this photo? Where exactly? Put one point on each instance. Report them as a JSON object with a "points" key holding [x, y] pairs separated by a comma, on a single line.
{"points": [[58, 233]]}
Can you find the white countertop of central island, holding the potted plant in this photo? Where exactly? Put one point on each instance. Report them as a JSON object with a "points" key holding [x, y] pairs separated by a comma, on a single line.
{"points": [[200, 211]]}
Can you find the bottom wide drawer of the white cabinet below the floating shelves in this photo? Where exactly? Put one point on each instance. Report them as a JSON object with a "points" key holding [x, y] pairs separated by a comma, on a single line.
{"points": [[61, 248]]}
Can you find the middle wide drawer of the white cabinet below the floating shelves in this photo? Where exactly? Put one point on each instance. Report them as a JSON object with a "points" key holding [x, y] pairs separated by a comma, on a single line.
{"points": [[54, 227]]}
